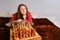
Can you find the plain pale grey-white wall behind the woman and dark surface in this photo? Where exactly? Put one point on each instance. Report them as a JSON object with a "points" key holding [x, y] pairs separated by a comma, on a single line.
{"points": [[39, 9]]}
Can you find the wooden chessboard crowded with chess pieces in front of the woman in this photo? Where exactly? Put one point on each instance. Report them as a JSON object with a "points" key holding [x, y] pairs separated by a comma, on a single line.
{"points": [[23, 31]]}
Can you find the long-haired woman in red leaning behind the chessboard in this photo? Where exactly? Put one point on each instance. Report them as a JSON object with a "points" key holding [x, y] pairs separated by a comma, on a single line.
{"points": [[22, 14]]}
